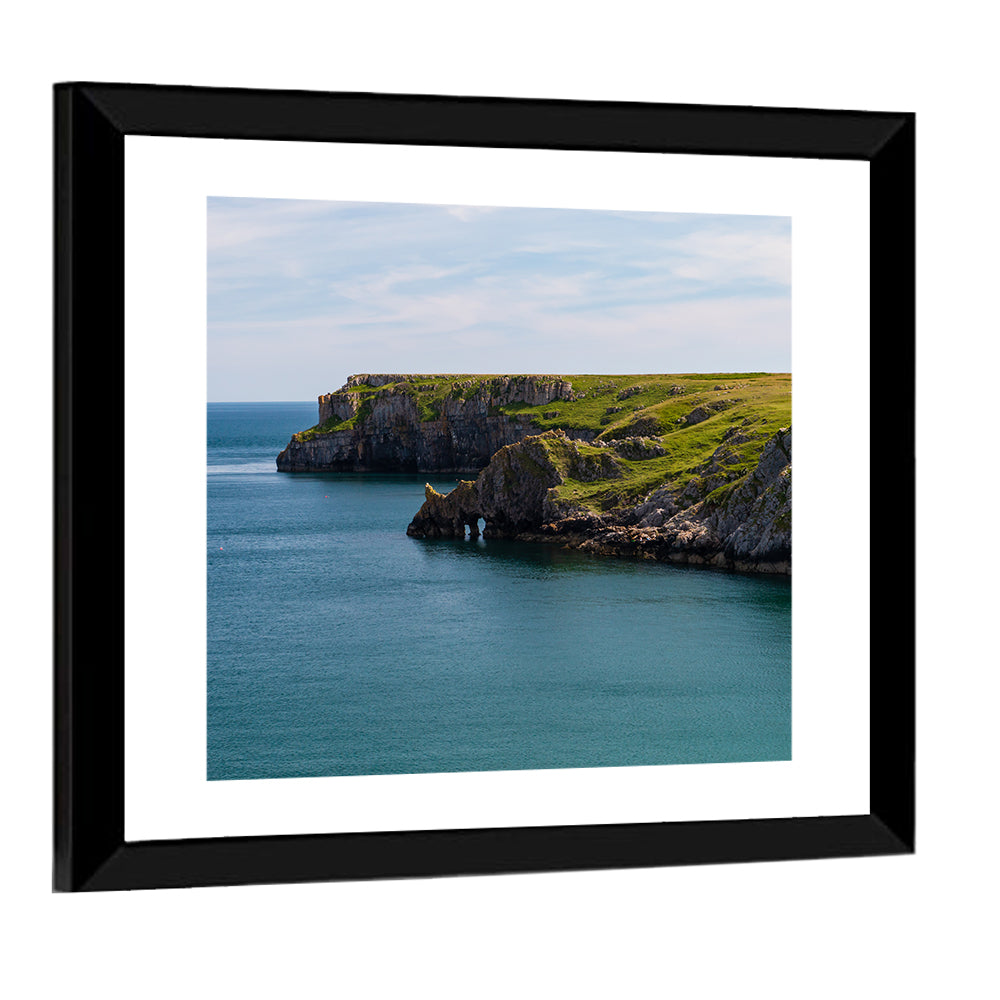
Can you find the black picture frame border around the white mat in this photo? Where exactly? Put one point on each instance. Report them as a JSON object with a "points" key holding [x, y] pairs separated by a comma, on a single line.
{"points": [[91, 122]]}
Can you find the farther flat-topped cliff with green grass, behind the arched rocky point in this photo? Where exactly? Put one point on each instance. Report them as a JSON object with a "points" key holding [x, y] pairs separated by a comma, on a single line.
{"points": [[456, 423]]}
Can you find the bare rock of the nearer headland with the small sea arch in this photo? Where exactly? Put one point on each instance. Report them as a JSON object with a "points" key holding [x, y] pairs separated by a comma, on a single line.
{"points": [[743, 525]]}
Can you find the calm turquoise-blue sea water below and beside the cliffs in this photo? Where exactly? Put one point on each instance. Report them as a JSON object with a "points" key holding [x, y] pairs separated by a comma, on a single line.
{"points": [[337, 645]]}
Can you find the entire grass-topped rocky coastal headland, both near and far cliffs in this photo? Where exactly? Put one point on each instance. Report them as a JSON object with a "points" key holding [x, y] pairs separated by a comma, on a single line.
{"points": [[691, 468]]}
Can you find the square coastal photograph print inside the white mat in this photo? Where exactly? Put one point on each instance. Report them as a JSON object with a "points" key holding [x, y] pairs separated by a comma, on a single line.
{"points": [[495, 489]]}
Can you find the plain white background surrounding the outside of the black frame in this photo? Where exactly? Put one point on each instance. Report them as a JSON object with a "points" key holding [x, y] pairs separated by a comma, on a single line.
{"points": [[861, 928]]}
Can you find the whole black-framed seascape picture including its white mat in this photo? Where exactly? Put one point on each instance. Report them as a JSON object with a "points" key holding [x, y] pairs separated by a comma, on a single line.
{"points": [[435, 454]]}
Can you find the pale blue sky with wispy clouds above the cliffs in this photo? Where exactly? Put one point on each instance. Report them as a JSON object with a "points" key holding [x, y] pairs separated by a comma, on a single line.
{"points": [[302, 294]]}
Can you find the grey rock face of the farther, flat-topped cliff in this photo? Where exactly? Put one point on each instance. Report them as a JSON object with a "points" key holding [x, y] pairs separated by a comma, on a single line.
{"points": [[410, 423]]}
